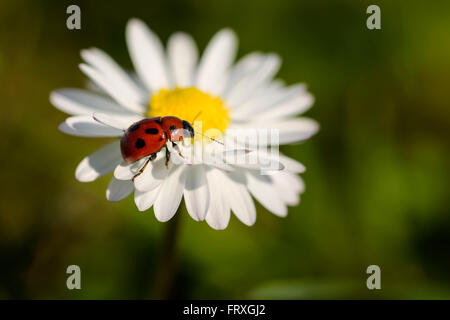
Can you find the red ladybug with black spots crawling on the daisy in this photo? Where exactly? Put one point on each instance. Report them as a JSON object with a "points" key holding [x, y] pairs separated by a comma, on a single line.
{"points": [[148, 136]]}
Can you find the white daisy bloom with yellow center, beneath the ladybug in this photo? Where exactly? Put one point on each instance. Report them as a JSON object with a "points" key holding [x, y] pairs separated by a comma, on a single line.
{"points": [[223, 95]]}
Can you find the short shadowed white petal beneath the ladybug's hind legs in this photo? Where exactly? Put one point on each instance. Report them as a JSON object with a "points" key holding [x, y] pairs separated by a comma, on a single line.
{"points": [[153, 175]]}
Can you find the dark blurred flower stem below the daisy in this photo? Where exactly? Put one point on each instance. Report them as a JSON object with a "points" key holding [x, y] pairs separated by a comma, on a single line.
{"points": [[165, 274]]}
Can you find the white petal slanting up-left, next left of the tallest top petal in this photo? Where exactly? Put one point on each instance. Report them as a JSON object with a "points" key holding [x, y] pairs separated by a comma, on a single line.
{"points": [[112, 71]]}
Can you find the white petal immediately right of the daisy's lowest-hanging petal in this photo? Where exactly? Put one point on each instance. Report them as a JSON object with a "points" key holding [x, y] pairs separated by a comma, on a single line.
{"points": [[236, 194]]}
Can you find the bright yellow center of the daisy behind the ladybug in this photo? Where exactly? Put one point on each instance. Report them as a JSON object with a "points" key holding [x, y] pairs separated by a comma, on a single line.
{"points": [[191, 104]]}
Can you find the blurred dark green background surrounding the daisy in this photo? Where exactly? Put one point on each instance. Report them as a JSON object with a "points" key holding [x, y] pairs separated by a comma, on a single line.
{"points": [[378, 171]]}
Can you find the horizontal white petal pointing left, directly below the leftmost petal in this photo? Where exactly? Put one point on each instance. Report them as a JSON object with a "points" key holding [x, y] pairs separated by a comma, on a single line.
{"points": [[86, 126]]}
